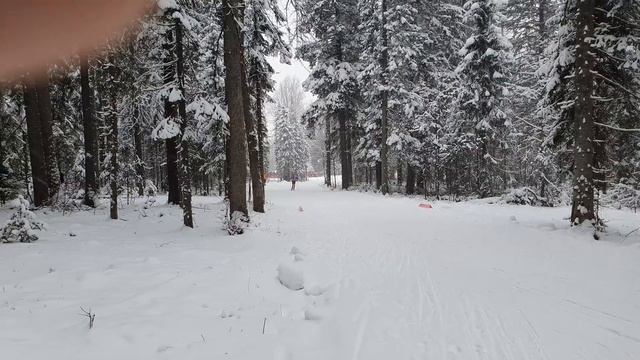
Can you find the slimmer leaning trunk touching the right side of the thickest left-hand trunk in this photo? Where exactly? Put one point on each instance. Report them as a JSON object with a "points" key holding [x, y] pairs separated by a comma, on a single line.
{"points": [[254, 149]]}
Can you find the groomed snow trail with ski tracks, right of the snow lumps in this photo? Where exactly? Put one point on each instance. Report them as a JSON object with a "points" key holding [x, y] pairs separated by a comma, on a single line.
{"points": [[462, 281]]}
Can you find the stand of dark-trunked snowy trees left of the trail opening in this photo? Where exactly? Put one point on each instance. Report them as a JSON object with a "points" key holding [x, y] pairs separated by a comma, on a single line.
{"points": [[175, 101]]}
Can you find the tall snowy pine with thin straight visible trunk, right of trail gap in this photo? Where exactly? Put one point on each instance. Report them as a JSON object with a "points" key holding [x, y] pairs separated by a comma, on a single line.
{"points": [[391, 75]]}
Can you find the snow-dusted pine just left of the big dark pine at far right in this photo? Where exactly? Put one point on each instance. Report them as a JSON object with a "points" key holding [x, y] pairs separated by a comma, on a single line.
{"points": [[531, 161]]}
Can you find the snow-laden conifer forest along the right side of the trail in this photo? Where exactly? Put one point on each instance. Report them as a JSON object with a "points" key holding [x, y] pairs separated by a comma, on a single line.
{"points": [[472, 98]]}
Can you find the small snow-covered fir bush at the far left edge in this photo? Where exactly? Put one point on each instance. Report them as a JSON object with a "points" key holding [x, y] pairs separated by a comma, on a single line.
{"points": [[21, 225]]}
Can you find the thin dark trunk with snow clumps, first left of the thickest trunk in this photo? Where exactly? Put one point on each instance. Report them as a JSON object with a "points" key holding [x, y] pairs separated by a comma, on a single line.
{"points": [[183, 148]]}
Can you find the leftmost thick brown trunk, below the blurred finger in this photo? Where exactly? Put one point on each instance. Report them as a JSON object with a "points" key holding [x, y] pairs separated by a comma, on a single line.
{"points": [[36, 150]]}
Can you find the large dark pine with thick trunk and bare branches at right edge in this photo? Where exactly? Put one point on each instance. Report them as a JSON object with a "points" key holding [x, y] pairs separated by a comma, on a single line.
{"points": [[609, 55]]}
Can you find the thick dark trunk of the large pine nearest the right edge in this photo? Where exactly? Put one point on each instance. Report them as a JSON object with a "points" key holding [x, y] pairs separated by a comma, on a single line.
{"points": [[583, 194]]}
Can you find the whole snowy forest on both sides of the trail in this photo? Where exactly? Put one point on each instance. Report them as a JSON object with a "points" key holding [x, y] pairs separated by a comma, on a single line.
{"points": [[443, 97]]}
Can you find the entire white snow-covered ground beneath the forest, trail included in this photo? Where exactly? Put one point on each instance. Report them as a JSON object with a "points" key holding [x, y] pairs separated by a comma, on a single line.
{"points": [[382, 279]]}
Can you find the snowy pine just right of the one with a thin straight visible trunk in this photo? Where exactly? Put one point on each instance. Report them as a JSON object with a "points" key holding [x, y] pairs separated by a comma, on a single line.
{"points": [[431, 144]]}
